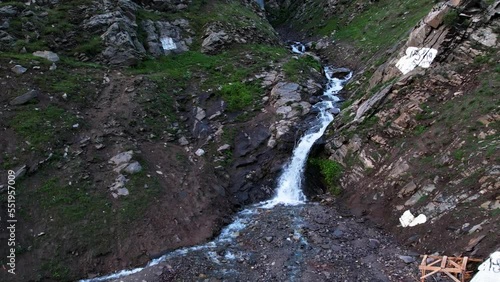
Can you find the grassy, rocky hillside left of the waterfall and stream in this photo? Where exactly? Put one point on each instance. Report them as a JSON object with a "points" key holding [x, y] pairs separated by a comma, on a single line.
{"points": [[135, 127]]}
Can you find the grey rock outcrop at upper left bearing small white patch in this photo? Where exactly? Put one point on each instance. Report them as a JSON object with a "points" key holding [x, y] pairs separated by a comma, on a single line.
{"points": [[120, 37]]}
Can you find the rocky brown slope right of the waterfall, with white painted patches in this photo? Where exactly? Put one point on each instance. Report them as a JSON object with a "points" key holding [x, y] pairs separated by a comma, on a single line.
{"points": [[425, 139]]}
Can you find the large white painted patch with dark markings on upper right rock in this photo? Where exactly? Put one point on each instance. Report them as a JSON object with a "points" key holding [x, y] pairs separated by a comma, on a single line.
{"points": [[416, 57]]}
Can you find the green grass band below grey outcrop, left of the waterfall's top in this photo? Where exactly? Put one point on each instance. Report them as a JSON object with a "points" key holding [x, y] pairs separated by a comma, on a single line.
{"points": [[226, 71]]}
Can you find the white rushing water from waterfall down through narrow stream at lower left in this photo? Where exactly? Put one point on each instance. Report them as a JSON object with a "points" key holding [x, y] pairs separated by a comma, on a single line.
{"points": [[289, 189]]}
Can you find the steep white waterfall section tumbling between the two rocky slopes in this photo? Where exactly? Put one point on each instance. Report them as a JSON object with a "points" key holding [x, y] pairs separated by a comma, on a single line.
{"points": [[289, 190]]}
